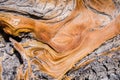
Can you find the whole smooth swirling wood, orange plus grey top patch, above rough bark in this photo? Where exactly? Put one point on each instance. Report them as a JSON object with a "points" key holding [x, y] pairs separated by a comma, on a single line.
{"points": [[66, 30]]}
